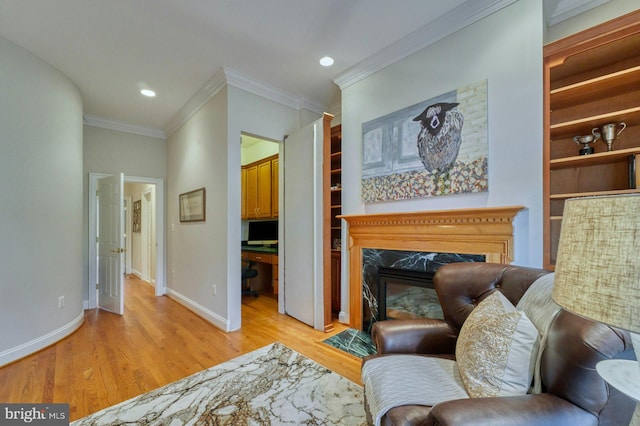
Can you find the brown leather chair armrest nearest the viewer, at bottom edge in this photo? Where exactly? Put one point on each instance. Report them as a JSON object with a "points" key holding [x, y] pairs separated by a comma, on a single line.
{"points": [[527, 410]]}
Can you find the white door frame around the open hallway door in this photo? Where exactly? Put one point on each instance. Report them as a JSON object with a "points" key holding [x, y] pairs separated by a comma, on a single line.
{"points": [[161, 284]]}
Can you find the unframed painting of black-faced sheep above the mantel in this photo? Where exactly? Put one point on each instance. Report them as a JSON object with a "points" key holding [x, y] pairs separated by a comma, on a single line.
{"points": [[424, 150]]}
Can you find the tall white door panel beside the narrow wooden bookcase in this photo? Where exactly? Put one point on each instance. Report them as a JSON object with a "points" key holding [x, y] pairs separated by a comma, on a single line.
{"points": [[303, 267]]}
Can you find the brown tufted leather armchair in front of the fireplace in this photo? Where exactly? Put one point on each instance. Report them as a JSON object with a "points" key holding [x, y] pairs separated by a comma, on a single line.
{"points": [[573, 392]]}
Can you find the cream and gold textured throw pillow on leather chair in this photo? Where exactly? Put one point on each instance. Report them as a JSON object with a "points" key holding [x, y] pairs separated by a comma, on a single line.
{"points": [[496, 349]]}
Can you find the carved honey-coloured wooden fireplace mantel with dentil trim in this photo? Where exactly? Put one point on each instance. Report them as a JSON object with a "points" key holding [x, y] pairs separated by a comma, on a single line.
{"points": [[487, 231]]}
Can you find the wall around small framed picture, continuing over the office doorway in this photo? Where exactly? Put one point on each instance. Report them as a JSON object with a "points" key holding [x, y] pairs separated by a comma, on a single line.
{"points": [[205, 152]]}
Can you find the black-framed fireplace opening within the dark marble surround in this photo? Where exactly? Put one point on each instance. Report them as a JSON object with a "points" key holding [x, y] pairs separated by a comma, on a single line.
{"points": [[406, 294]]}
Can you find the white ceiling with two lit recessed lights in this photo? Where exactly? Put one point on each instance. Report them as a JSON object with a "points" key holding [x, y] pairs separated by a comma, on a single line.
{"points": [[113, 48]]}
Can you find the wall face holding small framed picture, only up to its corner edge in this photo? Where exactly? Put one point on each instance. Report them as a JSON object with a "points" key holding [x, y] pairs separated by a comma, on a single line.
{"points": [[197, 154]]}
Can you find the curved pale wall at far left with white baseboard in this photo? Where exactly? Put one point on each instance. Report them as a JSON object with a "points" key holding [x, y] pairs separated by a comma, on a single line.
{"points": [[40, 203]]}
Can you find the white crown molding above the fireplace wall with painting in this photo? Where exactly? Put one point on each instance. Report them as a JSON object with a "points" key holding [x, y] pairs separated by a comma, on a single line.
{"points": [[466, 14]]}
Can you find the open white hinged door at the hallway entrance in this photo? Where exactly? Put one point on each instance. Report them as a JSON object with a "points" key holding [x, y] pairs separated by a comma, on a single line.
{"points": [[111, 244]]}
